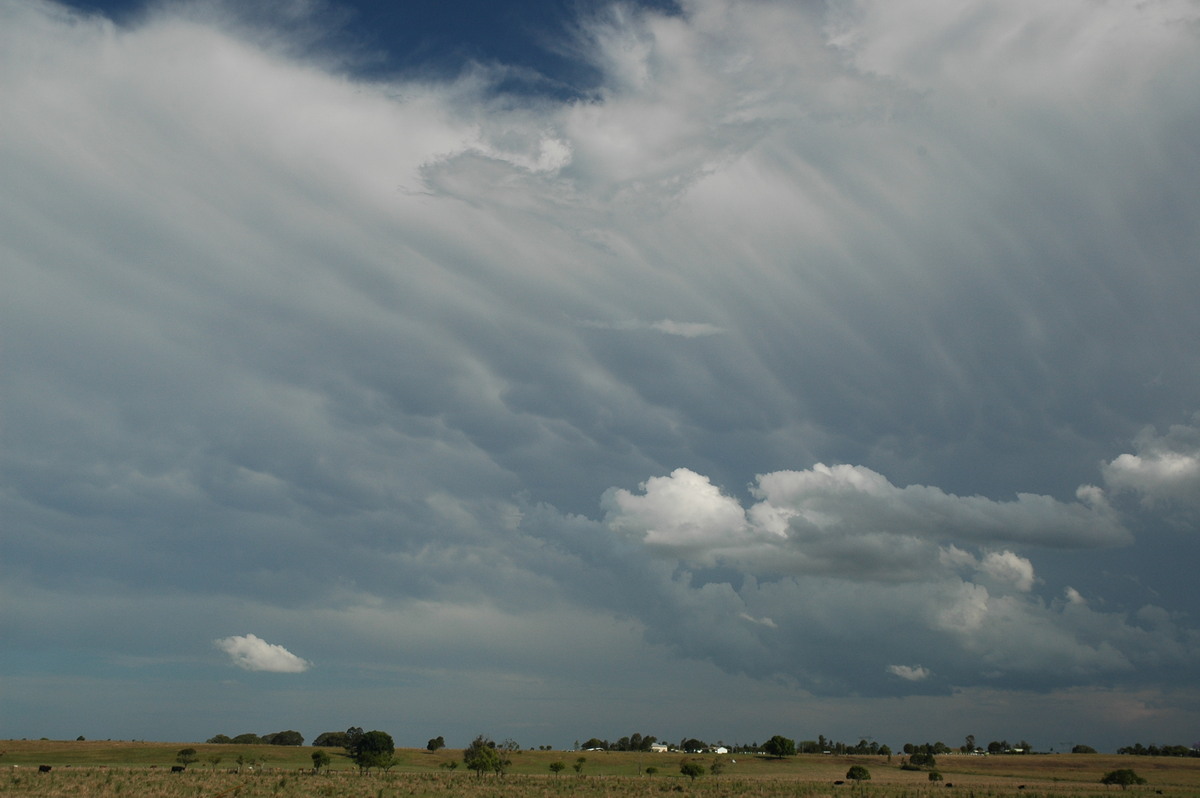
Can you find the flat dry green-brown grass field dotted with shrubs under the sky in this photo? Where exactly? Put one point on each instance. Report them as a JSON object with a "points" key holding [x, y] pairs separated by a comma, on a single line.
{"points": [[135, 770]]}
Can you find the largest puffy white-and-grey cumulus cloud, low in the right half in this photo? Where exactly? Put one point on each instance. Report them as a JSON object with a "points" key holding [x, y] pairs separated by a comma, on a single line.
{"points": [[850, 521]]}
